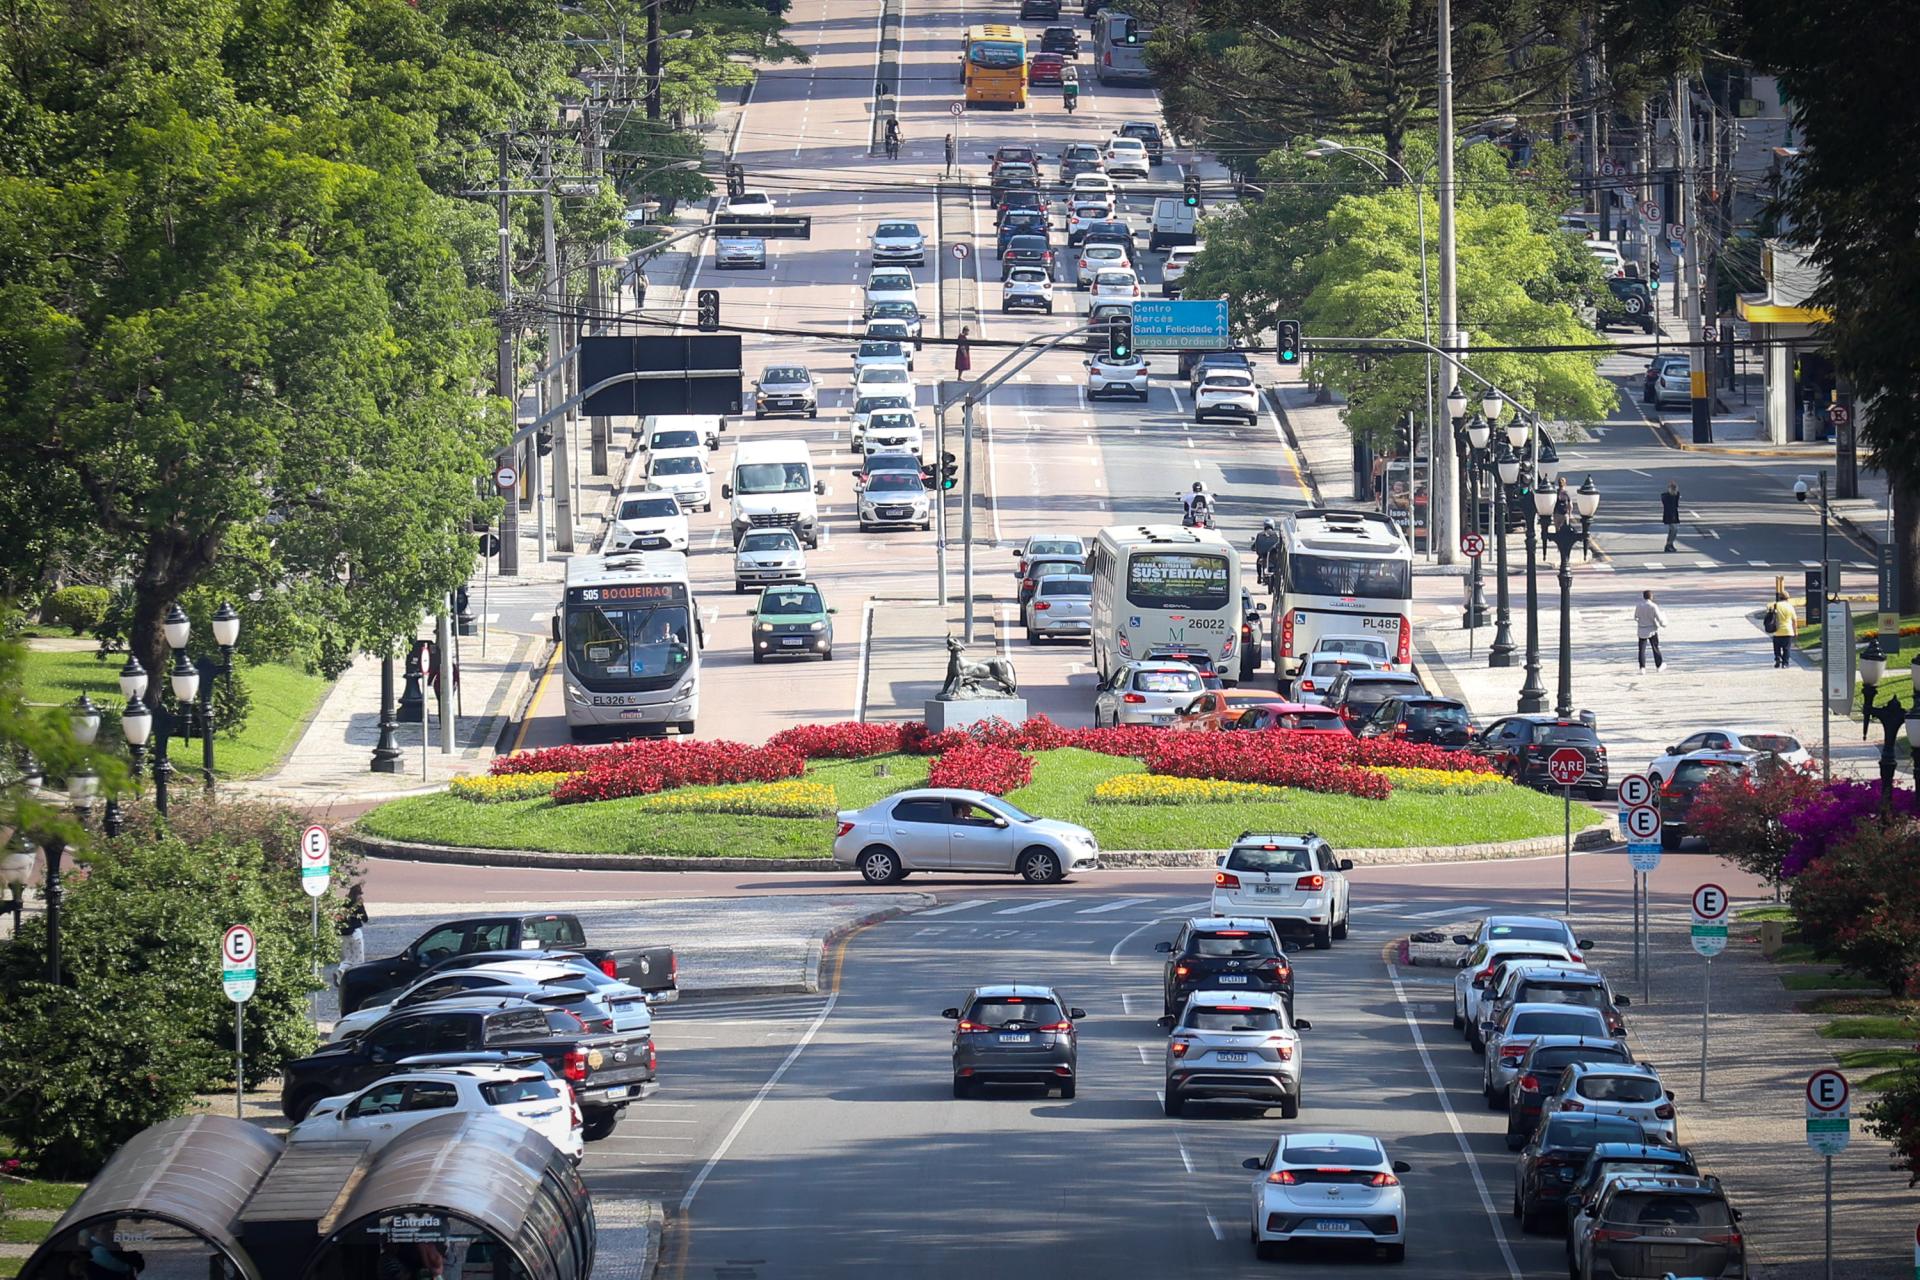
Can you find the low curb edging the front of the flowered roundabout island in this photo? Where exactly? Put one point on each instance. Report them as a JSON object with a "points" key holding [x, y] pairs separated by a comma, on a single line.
{"points": [[1134, 859]]}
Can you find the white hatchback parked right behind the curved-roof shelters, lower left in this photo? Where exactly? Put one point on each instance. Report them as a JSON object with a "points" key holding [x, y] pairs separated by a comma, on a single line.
{"points": [[396, 1104]]}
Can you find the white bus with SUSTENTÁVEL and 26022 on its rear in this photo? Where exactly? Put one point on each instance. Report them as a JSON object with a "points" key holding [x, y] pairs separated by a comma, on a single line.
{"points": [[1163, 586]]}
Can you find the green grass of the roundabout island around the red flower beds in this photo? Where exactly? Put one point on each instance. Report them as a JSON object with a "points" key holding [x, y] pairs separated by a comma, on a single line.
{"points": [[1063, 784]]}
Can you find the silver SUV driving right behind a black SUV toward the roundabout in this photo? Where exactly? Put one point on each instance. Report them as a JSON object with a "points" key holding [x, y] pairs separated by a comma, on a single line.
{"points": [[1234, 1045]]}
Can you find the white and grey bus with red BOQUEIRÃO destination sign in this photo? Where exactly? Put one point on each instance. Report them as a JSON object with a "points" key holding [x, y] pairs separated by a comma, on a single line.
{"points": [[631, 644]]}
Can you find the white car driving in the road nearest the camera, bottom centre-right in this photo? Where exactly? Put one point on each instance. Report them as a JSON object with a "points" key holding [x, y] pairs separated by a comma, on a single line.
{"points": [[1330, 1187]]}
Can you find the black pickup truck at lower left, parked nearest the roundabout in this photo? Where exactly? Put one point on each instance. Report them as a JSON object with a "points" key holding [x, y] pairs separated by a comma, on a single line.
{"points": [[652, 970]]}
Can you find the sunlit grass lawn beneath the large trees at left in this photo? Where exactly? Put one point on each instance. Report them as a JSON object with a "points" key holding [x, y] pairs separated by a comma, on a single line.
{"points": [[285, 699]]}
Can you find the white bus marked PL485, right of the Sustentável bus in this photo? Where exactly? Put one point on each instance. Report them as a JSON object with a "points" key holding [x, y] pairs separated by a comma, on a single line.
{"points": [[1341, 573]]}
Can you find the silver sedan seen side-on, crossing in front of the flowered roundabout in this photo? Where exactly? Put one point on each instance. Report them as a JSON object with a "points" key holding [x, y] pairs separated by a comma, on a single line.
{"points": [[949, 830]]}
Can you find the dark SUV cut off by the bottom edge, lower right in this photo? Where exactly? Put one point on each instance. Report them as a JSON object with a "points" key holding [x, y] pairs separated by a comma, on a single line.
{"points": [[1662, 1225]]}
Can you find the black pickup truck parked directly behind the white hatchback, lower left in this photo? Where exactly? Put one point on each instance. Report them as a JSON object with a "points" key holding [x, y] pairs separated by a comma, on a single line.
{"points": [[608, 1070]]}
